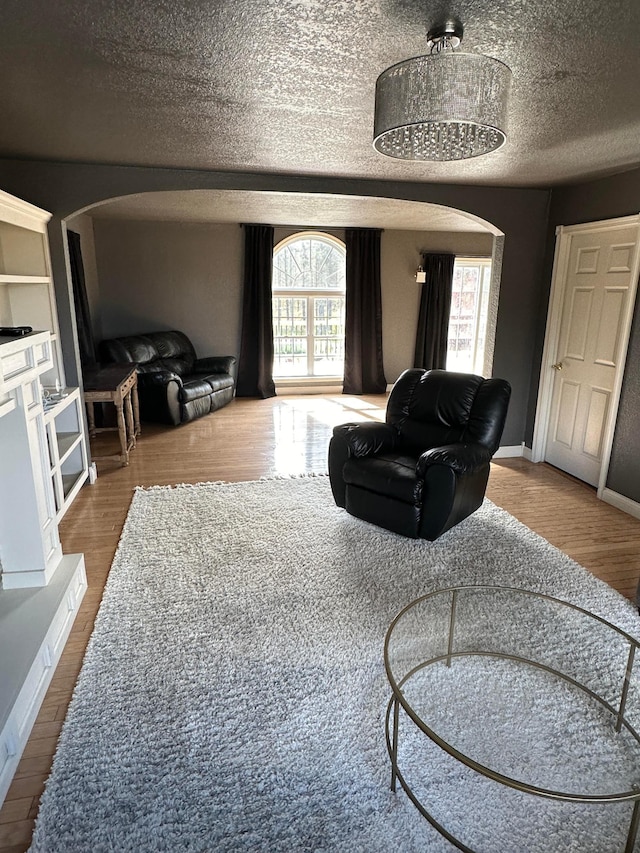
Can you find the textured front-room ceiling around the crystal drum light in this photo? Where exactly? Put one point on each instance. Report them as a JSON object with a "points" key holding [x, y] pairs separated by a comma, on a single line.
{"points": [[287, 86]]}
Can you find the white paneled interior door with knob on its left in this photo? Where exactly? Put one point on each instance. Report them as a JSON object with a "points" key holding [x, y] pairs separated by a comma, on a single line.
{"points": [[597, 289]]}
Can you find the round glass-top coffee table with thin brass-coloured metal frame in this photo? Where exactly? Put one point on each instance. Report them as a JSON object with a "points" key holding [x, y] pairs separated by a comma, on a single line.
{"points": [[515, 691]]}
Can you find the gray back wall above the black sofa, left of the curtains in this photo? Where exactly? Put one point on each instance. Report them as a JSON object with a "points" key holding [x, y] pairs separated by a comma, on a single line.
{"points": [[170, 275]]}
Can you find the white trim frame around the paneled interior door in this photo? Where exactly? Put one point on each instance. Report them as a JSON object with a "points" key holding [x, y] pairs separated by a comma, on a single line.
{"points": [[552, 337]]}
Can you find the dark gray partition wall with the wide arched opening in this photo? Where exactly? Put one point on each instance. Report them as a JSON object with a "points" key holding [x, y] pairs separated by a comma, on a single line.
{"points": [[67, 189]]}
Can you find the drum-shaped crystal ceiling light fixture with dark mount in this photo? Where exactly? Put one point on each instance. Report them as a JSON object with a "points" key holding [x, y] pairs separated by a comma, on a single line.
{"points": [[446, 105]]}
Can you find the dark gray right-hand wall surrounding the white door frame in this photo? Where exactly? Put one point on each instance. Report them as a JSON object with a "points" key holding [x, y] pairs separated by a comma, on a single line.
{"points": [[590, 202]]}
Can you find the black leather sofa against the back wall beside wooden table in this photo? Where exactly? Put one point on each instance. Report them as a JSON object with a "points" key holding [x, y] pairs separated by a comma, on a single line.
{"points": [[174, 386]]}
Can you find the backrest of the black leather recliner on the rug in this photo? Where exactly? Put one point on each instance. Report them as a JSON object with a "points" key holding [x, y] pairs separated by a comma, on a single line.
{"points": [[432, 408]]}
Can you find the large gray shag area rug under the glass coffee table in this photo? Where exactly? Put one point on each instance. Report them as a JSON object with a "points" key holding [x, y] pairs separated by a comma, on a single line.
{"points": [[233, 694]]}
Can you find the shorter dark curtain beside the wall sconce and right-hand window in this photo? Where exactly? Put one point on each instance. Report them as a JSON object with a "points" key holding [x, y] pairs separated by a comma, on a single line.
{"points": [[435, 305]]}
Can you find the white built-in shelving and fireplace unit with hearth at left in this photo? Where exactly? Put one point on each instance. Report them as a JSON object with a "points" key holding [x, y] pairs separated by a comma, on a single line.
{"points": [[43, 464]]}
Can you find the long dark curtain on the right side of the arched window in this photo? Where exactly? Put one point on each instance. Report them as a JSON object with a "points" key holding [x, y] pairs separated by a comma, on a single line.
{"points": [[363, 370]]}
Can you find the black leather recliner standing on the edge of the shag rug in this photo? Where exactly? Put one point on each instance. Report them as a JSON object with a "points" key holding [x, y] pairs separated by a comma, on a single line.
{"points": [[427, 467]]}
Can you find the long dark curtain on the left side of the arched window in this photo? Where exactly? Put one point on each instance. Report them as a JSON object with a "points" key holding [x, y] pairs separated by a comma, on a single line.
{"points": [[255, 368]]}
